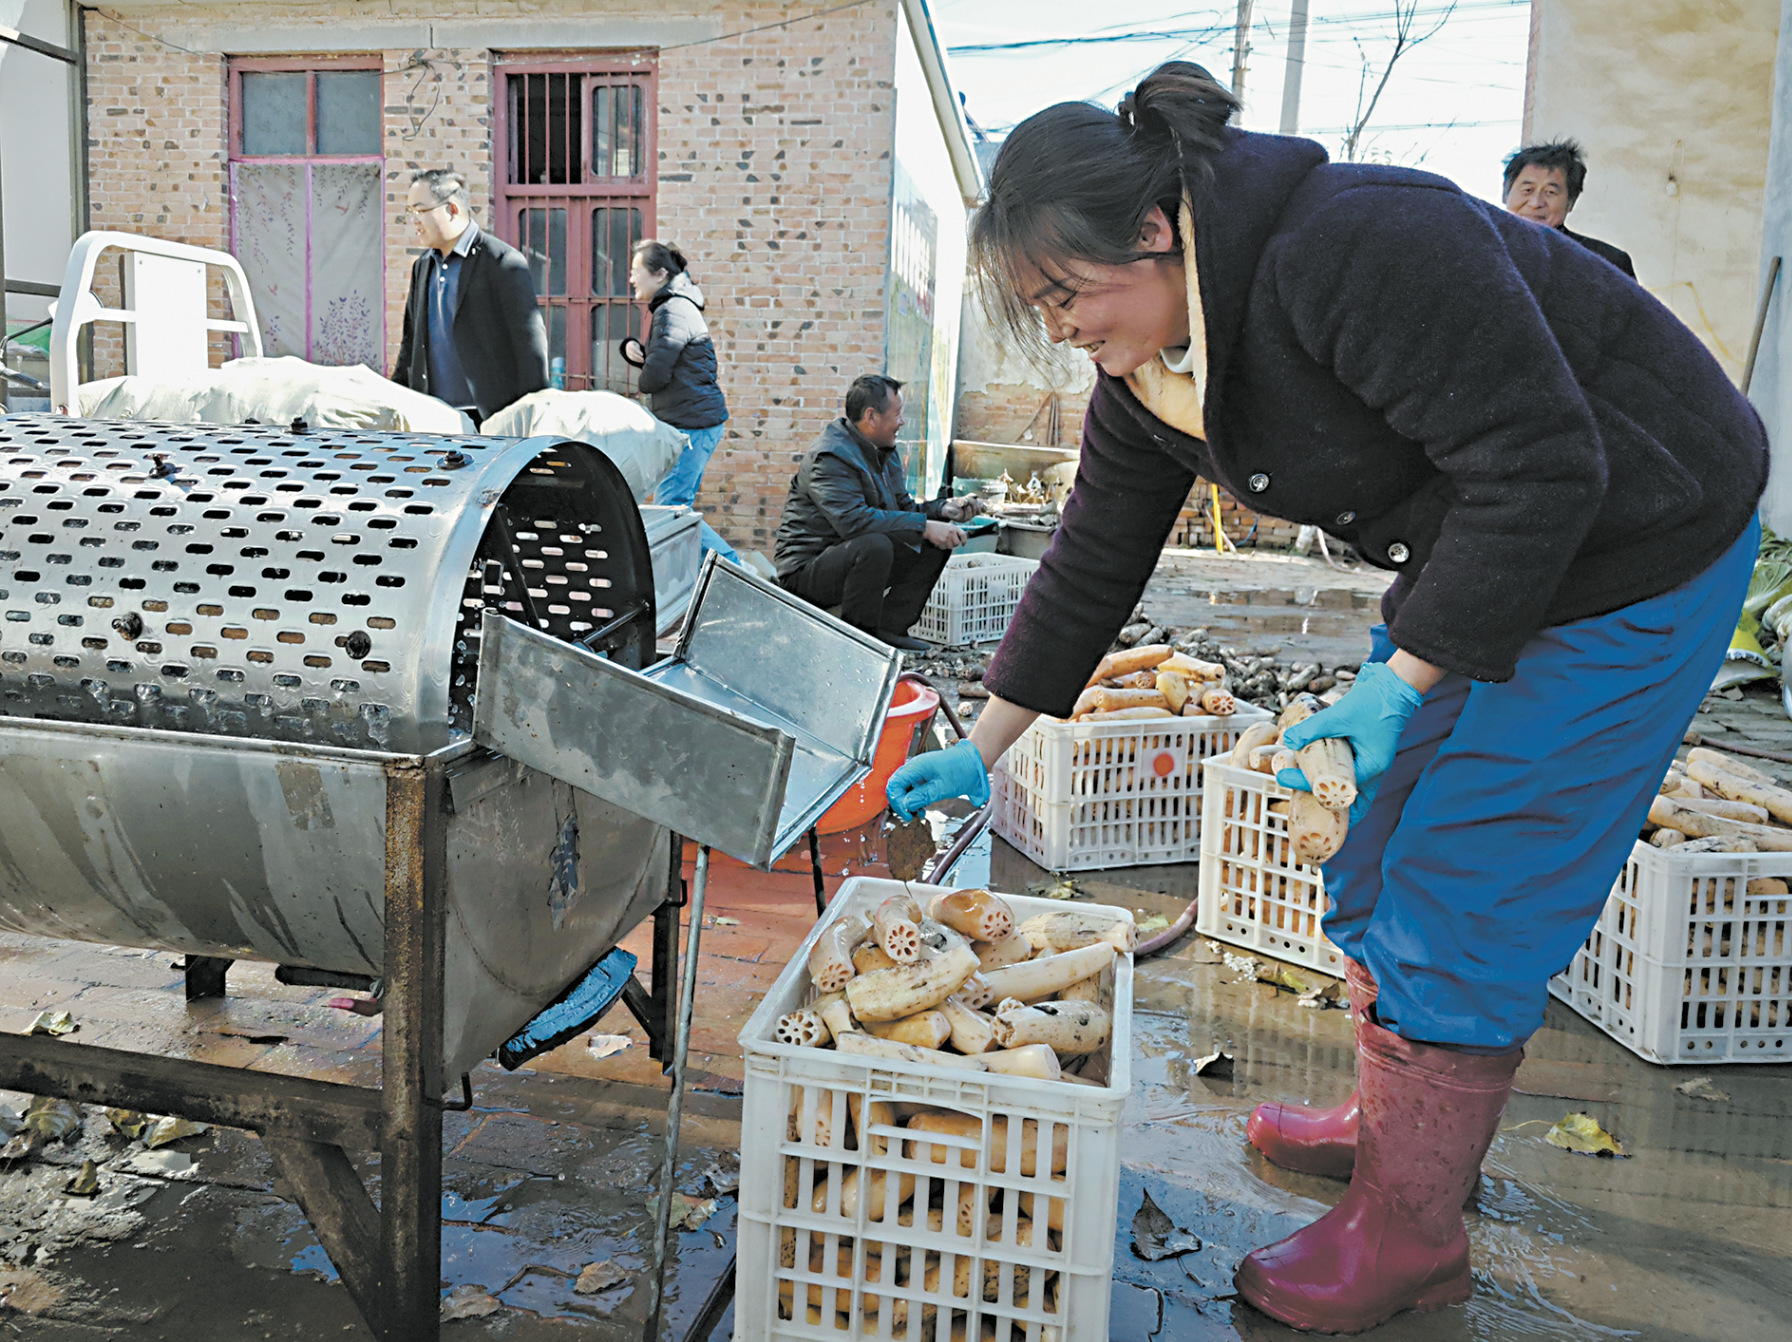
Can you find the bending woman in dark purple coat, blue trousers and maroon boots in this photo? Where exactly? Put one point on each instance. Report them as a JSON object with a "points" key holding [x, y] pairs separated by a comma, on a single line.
{"points": [[1551, 463]]}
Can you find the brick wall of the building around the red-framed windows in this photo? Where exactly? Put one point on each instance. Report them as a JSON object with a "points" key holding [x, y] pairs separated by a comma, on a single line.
{"points": [[773, 178]]}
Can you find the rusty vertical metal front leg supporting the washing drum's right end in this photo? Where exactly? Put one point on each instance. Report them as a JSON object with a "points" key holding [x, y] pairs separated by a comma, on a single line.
{"points": [[411, 1056]]}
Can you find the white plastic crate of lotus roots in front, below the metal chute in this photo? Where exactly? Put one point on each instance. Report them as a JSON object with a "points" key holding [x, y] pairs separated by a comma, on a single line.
{"points": [[797, 1126]]}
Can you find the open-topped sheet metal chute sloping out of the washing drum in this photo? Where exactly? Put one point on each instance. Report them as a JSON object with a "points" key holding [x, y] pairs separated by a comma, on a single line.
{"points": [[762, 719]]}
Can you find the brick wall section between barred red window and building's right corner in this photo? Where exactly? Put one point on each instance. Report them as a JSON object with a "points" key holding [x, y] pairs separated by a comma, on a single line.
{"points": [[775, 173]]}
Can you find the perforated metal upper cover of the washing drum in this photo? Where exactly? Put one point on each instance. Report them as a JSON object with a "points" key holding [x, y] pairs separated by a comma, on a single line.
{"points": [[304, 587]]}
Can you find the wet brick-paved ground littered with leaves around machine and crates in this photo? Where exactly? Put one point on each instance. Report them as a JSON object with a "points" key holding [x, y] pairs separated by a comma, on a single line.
{"points": [[1689, 1239]]}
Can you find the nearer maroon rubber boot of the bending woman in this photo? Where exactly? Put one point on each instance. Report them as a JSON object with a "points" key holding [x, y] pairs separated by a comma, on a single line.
{"points": [[1397, 1241]]}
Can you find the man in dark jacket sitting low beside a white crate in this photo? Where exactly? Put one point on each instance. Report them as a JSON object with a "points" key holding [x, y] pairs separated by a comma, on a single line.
{"points": [[852, 533]]}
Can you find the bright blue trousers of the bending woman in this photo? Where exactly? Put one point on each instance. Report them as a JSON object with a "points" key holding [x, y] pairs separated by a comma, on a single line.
{"points": [[1510, 809]]}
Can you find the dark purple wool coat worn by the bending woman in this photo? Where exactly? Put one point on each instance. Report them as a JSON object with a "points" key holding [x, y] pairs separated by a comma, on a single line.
{"points": [[1472, 400]]}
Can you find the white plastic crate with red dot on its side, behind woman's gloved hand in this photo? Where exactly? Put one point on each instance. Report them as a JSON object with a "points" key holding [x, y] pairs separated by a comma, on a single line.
{"points": [[1076, 796]]}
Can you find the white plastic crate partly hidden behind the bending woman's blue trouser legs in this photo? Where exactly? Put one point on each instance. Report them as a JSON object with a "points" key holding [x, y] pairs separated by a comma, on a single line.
{"points": [[1254, 891]]}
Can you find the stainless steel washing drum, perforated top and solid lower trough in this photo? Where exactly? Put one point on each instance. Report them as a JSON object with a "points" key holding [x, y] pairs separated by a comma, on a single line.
{"points": [[218, 646]]}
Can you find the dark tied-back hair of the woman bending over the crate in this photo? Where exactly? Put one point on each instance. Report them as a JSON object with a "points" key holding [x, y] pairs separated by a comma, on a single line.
{"points": [[1076, 182]]}
